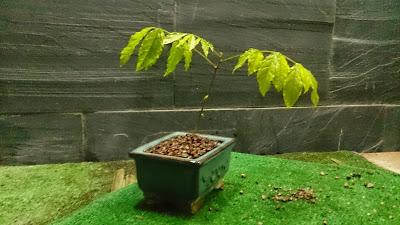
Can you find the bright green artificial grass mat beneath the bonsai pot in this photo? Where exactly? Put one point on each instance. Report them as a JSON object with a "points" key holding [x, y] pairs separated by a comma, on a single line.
{"points": [[267, 176]]}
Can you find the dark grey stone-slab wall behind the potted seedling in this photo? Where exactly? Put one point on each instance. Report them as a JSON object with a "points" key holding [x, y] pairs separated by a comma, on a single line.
{"points": [[64, 98]]}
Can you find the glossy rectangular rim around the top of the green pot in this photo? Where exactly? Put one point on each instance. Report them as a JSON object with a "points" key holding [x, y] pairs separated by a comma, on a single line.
{"points": [[141, 150]]}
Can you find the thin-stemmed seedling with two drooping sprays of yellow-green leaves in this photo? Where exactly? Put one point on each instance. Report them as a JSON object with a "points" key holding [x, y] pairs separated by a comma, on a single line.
{"points": [[271, 68]]}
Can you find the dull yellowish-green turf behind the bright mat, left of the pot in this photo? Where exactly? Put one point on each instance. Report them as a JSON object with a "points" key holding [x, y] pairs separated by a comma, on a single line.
{"points": [[39, 194]]}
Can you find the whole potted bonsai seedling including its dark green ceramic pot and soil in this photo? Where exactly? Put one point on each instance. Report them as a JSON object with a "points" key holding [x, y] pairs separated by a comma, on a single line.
{"points": [[188, 155]]}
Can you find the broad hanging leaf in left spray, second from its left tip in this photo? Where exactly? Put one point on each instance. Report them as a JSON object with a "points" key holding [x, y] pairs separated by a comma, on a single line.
{"points": [[150, 50]]}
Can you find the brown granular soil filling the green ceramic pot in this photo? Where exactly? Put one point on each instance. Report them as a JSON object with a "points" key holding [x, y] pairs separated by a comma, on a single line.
{"points": [[189, 146]]}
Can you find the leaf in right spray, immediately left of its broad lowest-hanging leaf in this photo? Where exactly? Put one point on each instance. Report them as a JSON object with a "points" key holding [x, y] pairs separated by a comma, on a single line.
{"points": [[279, 67]]}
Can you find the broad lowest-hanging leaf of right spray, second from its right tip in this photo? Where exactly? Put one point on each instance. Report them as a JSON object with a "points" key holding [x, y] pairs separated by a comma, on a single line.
{"points": [[292, 89]]}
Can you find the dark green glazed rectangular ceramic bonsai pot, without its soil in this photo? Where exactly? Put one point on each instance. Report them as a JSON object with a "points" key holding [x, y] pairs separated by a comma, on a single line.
{"points": [[179, 180]]}
